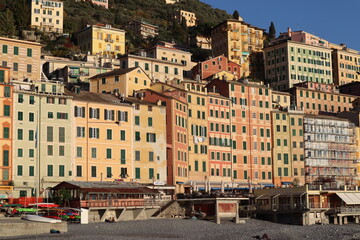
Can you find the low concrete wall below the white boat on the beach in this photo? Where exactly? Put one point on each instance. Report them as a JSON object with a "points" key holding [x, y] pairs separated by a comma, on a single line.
{"points": [[17, 227]]}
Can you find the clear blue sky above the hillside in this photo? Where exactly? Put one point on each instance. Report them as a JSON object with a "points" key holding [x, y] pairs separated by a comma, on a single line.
{"points": [[334, 20]]}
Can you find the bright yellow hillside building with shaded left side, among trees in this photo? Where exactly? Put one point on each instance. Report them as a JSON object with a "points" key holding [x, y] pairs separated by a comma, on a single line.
{"points": [[101, 39]]}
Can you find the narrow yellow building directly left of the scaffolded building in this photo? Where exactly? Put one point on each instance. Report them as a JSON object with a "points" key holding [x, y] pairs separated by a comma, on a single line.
{"points": [[288, 146]]}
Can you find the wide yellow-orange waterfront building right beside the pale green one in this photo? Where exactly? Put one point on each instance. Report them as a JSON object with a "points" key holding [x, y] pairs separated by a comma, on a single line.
{"points": [[103, 138]]}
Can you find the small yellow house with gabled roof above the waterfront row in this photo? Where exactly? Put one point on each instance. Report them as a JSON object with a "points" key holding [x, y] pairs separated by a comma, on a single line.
{"points": [[122, 81]]}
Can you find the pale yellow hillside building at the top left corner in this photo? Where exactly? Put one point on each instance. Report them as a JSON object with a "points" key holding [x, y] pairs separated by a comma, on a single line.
{"points": [[47, 15]]}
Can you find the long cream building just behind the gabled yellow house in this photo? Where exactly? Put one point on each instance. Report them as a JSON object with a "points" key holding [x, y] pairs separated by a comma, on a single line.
{"points": [[158, 70]]}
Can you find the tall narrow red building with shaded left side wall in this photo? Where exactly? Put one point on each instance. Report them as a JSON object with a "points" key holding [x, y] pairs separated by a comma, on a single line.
{"points": [[176, 130]]}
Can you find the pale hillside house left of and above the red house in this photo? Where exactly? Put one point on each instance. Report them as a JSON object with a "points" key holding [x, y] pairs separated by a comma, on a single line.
{"points": [[171, 52]]}
